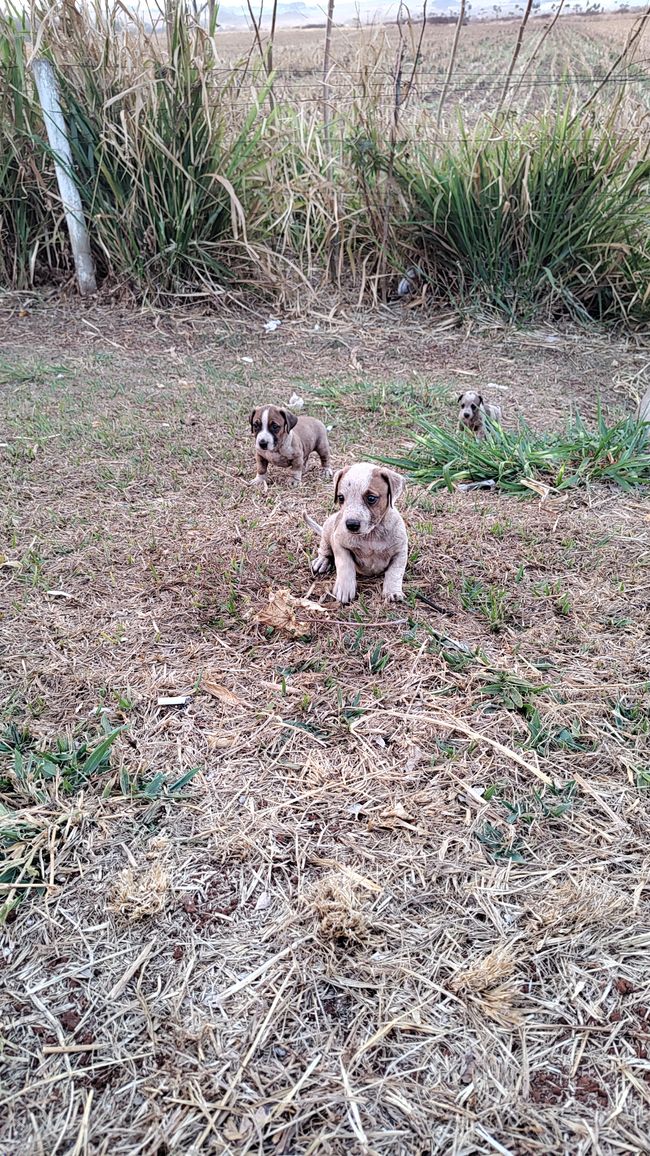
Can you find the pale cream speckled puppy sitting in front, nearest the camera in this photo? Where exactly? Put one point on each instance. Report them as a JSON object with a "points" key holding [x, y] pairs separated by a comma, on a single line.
{"points": [[367, 536]]}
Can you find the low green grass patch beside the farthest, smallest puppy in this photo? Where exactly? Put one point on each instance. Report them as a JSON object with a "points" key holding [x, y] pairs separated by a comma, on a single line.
{"points": [[619, 455]]}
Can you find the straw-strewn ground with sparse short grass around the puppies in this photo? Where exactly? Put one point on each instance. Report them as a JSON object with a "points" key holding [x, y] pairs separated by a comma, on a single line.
{"points": [[402, 907]]}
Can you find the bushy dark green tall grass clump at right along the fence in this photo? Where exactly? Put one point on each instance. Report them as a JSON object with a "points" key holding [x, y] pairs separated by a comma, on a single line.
{"points": [[552, 217]]}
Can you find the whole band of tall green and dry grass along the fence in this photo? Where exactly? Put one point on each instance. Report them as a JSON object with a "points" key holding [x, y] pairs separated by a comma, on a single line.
{"points": [[196, 186]]}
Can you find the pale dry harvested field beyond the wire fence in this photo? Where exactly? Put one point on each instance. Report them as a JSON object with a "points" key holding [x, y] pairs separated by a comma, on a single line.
{"points": [[570, 58]]}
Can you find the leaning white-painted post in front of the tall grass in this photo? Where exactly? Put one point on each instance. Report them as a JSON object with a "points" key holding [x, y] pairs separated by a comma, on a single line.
{"points": [[57, 136]]}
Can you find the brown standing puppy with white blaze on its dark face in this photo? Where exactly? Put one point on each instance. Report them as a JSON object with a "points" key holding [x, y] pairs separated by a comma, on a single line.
{"points": [[287, 441]]}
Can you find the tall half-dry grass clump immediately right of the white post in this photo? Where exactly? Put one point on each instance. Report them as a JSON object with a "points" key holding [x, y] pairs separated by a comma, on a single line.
{"points": [[167, 168]]}
